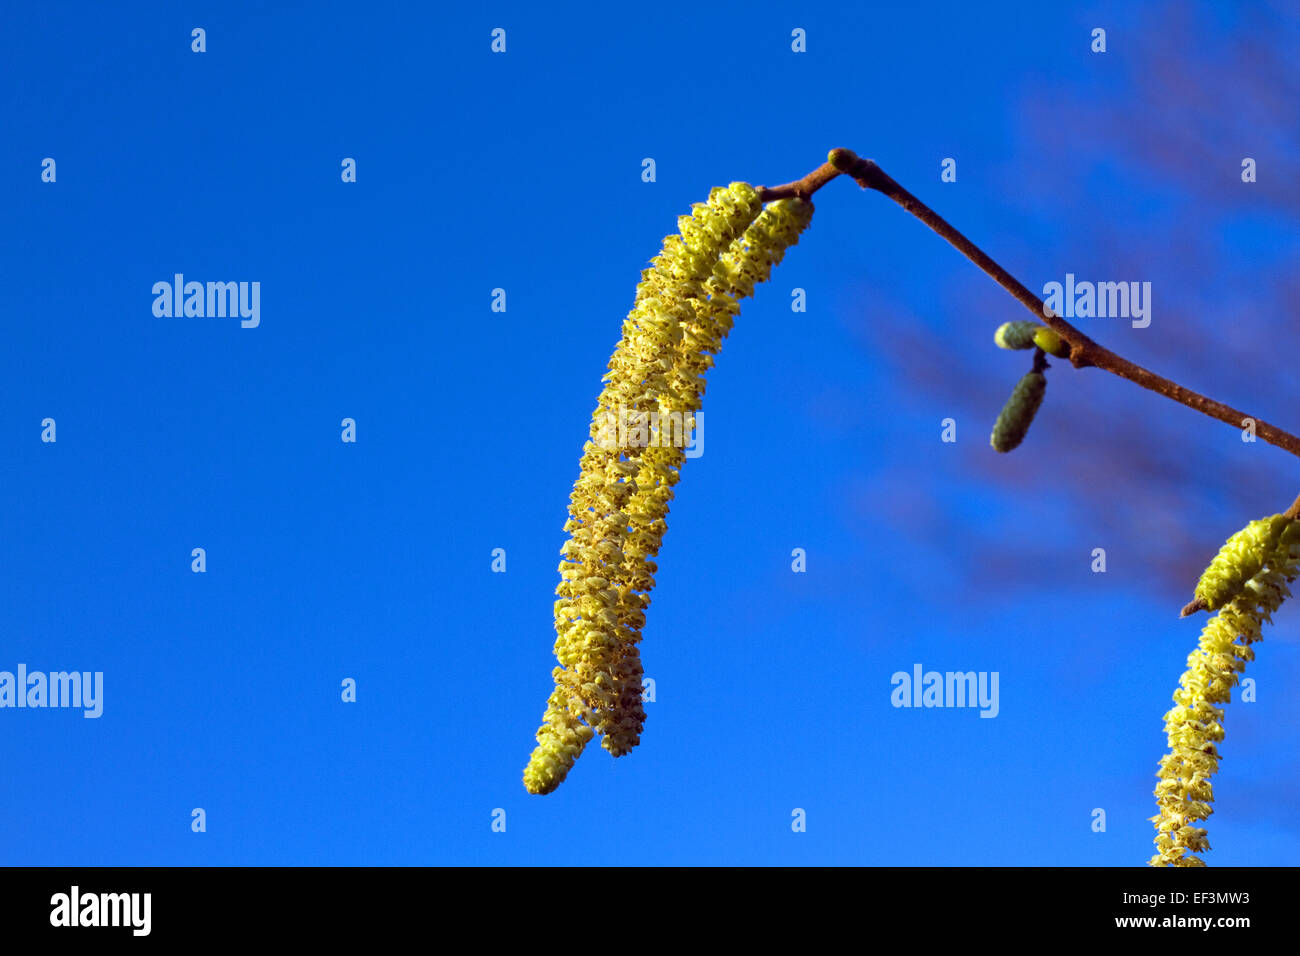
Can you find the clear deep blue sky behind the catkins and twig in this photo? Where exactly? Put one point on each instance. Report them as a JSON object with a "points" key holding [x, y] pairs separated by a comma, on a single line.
{"points": [[523, 171]]}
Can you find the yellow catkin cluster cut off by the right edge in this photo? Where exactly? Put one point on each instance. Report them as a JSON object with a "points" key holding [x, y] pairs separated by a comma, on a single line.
{"points": [[1246, 582]]}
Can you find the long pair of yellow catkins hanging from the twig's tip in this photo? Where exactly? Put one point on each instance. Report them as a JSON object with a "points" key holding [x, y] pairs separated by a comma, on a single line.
{"points": [[686, 305]]}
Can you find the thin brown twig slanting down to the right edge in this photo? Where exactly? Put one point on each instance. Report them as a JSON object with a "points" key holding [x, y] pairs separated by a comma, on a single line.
{"points": [[1084, 351]]}
